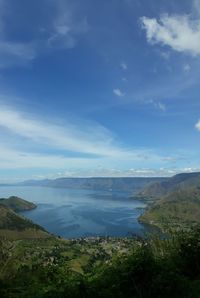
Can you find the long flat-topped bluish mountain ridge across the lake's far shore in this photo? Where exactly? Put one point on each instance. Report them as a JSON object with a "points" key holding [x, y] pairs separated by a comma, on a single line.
{"points": [[132, 184]]}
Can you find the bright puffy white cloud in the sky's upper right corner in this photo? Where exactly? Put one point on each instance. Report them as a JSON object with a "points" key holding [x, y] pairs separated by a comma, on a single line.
{"points": [[180, 32]]}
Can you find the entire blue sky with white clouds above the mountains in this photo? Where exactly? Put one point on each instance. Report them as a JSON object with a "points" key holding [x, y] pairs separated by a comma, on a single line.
{"points": [[99, 88]]}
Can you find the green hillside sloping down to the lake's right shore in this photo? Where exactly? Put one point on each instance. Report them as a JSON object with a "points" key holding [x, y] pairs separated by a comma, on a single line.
{"points": [[173, 203]]}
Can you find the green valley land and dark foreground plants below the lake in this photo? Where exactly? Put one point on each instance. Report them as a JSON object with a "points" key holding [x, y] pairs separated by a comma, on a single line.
{"points": [[154, 268]]}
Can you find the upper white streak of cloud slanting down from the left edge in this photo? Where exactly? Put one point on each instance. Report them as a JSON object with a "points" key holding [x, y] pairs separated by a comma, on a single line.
{"points": [[86, 139]]}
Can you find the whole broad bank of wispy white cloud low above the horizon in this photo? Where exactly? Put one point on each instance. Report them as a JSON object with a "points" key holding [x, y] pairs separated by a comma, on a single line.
{"points": [[78, 147]]}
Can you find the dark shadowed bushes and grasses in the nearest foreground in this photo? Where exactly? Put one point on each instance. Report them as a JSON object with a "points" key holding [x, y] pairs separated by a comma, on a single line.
{"points": [[158, 268]]}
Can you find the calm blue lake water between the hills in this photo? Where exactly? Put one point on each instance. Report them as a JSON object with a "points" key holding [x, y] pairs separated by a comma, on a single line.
{"points": [[73, 213]]}
